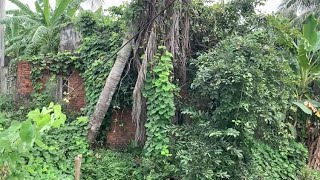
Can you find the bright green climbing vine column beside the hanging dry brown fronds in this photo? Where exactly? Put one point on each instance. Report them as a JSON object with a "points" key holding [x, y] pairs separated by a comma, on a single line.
{"points": [[159, 92]]}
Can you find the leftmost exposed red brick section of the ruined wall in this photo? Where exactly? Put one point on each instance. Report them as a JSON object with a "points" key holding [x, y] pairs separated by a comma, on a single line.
{"points": [[24, 84]]}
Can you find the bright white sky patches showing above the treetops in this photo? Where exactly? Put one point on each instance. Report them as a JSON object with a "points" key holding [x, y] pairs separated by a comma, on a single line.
{"points": [[269, 7]]}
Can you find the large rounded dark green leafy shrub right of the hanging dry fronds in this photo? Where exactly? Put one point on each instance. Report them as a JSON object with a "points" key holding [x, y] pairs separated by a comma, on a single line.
{"points": [[247, 84]]}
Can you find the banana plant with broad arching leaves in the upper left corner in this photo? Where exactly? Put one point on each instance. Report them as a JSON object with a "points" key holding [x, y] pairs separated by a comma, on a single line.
{"points": [[41, 27]]}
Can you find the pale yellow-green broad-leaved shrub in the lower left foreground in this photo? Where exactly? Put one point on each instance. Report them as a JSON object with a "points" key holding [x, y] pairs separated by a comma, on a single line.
{"points": [[18, 139]]}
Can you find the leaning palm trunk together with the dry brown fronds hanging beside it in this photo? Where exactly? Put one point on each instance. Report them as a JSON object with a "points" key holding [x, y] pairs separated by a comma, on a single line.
{"points": [[161, 23]]}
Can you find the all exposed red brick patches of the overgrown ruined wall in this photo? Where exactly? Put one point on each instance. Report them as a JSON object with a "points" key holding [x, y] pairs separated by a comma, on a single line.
{"points": [[122, 128]]}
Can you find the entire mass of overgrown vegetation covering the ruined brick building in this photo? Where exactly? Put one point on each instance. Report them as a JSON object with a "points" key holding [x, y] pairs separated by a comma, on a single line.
{"points": [[238, 100]]}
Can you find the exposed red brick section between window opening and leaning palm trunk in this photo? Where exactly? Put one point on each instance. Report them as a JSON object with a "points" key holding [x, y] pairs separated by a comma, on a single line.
{"points": [[76, 88]]}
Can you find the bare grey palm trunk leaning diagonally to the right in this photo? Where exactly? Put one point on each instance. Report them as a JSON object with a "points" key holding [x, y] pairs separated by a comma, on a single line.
{"points": [[110, 86]]}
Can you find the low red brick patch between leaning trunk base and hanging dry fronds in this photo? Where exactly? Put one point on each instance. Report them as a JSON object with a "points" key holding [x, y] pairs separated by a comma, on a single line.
{"points": [[122, 129]]}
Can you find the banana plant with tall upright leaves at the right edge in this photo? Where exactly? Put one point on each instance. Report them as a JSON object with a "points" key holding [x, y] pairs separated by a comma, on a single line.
{"points": [[308, 61]]}
